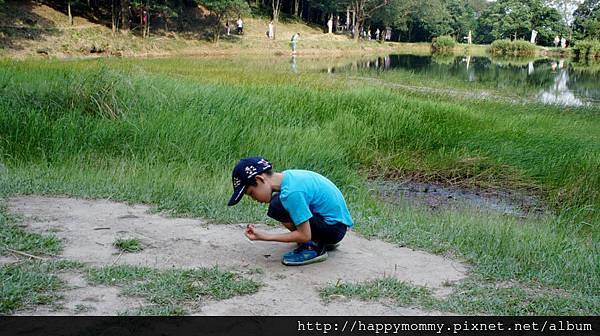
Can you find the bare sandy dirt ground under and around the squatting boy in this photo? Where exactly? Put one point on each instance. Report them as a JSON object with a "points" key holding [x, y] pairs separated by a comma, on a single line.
{"points": [[88, 228]]}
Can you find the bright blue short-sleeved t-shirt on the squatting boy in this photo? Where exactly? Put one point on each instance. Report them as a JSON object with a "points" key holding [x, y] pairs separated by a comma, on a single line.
{"points": [[304, 193]]}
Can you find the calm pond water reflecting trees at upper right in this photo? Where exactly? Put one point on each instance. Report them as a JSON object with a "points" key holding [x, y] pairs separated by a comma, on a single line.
{"points": [[545, 80]]}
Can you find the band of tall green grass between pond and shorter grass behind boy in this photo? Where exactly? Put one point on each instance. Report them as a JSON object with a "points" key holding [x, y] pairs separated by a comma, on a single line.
{"points": [[55, 115]]}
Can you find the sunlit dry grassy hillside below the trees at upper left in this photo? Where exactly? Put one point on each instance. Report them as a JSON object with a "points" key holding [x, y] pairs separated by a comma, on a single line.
{"points": [[28, 28]]}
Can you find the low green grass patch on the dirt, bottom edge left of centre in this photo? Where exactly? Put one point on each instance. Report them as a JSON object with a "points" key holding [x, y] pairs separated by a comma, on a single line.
{"points": [[168, 291]]}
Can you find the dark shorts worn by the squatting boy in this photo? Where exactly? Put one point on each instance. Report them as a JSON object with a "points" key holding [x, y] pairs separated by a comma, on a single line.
{"points": [[321, 232]]}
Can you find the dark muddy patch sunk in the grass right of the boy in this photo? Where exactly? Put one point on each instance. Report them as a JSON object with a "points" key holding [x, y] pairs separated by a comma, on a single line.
{"points": [[438, 196]]}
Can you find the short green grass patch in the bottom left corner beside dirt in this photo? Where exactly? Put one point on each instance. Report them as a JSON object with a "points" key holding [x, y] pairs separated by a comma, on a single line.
{"points": [[28, 284]]}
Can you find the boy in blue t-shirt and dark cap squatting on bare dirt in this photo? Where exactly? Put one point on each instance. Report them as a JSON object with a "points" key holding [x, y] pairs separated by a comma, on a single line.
{"points": [[310, 206]]}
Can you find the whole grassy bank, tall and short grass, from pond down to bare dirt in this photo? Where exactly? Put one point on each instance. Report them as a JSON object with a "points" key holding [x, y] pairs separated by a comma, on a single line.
{"points": [[167, 132]]}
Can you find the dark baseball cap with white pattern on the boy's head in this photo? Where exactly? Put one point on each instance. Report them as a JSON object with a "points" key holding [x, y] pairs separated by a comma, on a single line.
{"points": [[244, 173]]}
